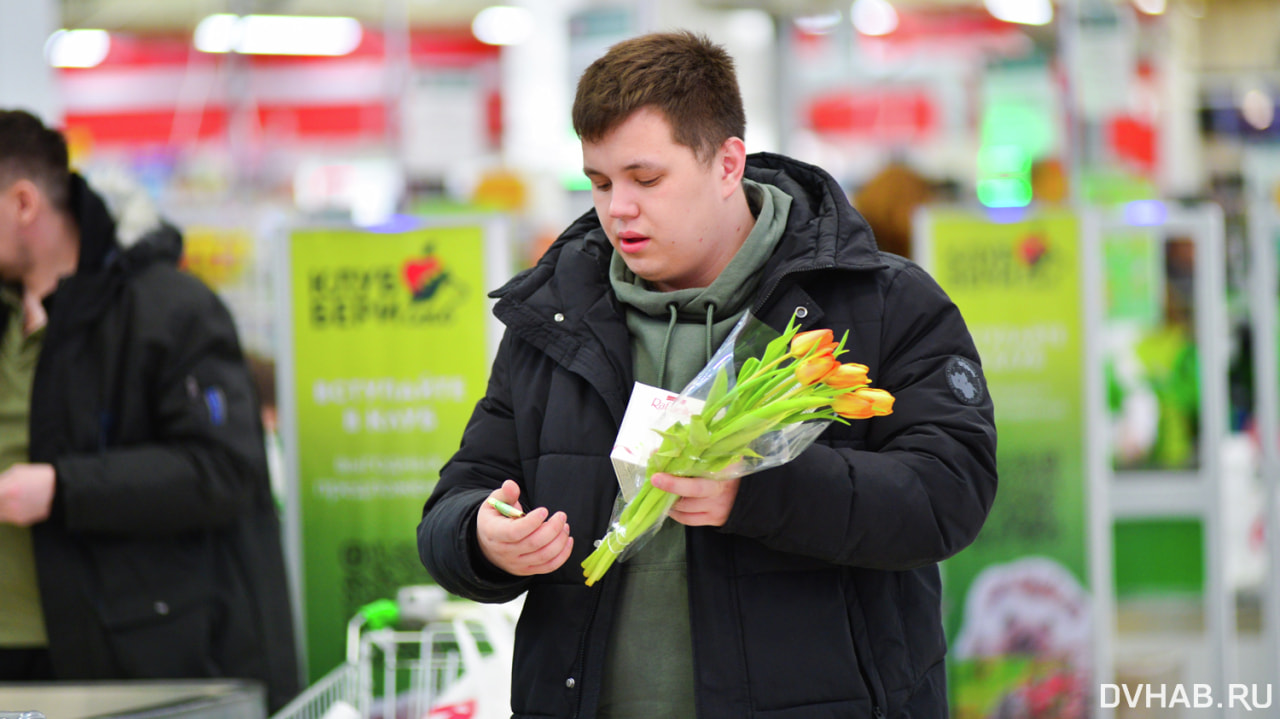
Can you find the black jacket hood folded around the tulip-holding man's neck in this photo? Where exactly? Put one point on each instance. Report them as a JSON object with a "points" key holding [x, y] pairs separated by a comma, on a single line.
{"points": [[824, 232]]}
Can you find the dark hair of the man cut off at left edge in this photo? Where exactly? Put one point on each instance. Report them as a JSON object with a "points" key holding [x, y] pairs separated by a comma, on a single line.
{"points": [[29, 150]]}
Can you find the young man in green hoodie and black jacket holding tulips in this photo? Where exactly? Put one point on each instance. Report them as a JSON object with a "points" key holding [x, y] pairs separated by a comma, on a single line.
{"points": [[803, 592]]}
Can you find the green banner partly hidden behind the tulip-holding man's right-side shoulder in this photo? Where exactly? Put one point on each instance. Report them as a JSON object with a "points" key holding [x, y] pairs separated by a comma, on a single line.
{"points": [[1017, 604]]}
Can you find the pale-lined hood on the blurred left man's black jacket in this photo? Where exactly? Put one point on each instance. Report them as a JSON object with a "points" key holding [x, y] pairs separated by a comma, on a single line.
{"points": [[118, 223]]}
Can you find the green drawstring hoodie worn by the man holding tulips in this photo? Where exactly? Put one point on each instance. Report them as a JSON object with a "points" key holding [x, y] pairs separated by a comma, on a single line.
{"points": [[650, 668]]}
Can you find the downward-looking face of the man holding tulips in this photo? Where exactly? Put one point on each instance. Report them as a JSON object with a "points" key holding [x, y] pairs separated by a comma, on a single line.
{"points": [[665, 212]]}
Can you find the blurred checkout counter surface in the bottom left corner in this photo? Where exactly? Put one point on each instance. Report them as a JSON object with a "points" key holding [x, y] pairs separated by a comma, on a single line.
{"points": [[214, 699]]}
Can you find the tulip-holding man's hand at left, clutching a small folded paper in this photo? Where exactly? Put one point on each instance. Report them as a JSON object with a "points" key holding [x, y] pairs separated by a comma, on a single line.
{"points": [[534, 544]]}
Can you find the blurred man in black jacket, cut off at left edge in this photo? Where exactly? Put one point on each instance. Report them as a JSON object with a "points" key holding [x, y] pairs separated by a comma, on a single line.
{"points": [[138, 533]]}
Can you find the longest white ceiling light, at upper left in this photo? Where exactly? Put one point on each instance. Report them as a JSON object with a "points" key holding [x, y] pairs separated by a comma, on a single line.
{"points": [[278, 35]]}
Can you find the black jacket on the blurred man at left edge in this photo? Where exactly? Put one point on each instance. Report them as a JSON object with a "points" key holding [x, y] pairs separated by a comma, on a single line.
{"points": [[162, 557]]}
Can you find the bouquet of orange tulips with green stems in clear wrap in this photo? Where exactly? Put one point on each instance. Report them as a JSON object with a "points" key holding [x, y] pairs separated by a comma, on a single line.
{"points": [[755, 415]]}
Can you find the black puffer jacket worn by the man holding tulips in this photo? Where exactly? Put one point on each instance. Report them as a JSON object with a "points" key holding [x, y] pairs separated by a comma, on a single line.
{"points": [[821, 596]]}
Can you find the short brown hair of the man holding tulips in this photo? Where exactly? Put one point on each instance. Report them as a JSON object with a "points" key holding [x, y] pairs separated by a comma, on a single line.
{"points": [[685, 76]]}
